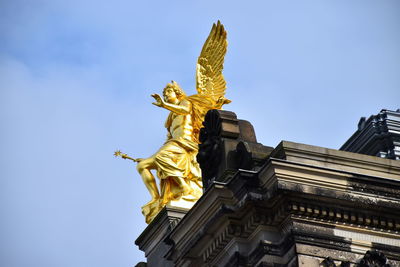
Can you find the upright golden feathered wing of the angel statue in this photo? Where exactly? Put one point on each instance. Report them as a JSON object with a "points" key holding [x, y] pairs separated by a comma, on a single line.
{"points": [[209, 79]]}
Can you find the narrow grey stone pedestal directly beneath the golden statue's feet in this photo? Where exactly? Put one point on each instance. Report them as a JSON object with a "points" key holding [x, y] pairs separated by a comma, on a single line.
{"points": [[151, 241]]}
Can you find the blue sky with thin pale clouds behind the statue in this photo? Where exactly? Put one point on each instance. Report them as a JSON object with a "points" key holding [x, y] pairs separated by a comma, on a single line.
{"points": [[75, 84]]}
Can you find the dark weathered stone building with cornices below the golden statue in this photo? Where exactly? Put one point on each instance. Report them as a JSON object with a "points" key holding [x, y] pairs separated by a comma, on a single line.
{"points": [[292, 205]]}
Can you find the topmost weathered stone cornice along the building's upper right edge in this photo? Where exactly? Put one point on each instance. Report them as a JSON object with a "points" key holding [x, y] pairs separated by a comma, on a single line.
{"points": [[317, 179]]}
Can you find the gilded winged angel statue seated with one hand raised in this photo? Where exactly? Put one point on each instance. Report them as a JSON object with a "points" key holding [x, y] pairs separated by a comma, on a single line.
{"points": [[175, 162]]}
